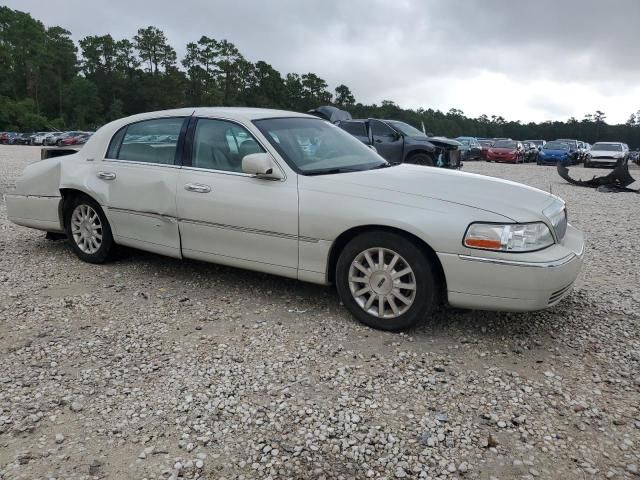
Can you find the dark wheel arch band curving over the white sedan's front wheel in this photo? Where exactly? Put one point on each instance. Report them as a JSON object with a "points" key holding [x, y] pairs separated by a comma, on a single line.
{"points": [[345, 237]]}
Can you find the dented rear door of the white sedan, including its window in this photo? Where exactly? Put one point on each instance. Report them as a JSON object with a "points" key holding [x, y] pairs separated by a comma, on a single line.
{"points": [[139, 174]]}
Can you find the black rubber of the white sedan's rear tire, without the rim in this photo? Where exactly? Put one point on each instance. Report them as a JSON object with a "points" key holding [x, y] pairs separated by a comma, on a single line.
{"points": [[107, 246]]}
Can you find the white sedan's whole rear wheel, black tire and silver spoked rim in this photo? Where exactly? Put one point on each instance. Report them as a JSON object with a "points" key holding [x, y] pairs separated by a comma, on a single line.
{"points": [[88, 230]]}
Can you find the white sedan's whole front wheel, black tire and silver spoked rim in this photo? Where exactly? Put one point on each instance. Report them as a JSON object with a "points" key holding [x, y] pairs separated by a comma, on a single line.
{"points": [[386, 281]]}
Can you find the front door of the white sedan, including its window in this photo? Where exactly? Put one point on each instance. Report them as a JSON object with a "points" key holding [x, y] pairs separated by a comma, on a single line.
{"points": [[229, 217]]}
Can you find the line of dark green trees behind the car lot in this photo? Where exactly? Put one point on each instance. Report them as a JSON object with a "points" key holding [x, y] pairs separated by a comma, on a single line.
{"points": [[47, 81]]}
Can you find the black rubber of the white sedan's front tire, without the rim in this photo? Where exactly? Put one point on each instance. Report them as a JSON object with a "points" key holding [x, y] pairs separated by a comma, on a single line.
{"points": [[427, 287]]}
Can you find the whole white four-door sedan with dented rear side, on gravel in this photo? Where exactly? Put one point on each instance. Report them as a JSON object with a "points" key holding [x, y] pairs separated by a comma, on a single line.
{"points": [[293, 195]]}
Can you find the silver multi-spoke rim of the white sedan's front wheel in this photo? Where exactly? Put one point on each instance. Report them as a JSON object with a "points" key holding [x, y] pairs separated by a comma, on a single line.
{"points": [[382, 282]]}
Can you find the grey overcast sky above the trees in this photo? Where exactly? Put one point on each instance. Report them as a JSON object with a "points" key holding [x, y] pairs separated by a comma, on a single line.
{"points": [[527, 60]]}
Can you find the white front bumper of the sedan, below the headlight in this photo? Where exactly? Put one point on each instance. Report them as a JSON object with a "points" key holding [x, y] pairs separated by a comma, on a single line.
{"points": [[525, 282]]}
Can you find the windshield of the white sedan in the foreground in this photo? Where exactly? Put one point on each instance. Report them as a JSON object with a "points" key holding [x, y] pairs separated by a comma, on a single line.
{"points": [[314, 147]]}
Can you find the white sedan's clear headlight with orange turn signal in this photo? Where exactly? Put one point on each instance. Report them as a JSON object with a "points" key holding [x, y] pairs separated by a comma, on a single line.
{"points": [[526, 237]]}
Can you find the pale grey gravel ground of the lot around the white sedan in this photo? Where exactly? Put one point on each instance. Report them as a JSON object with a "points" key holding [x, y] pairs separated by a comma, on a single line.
{"points": [[149, 367]]}
